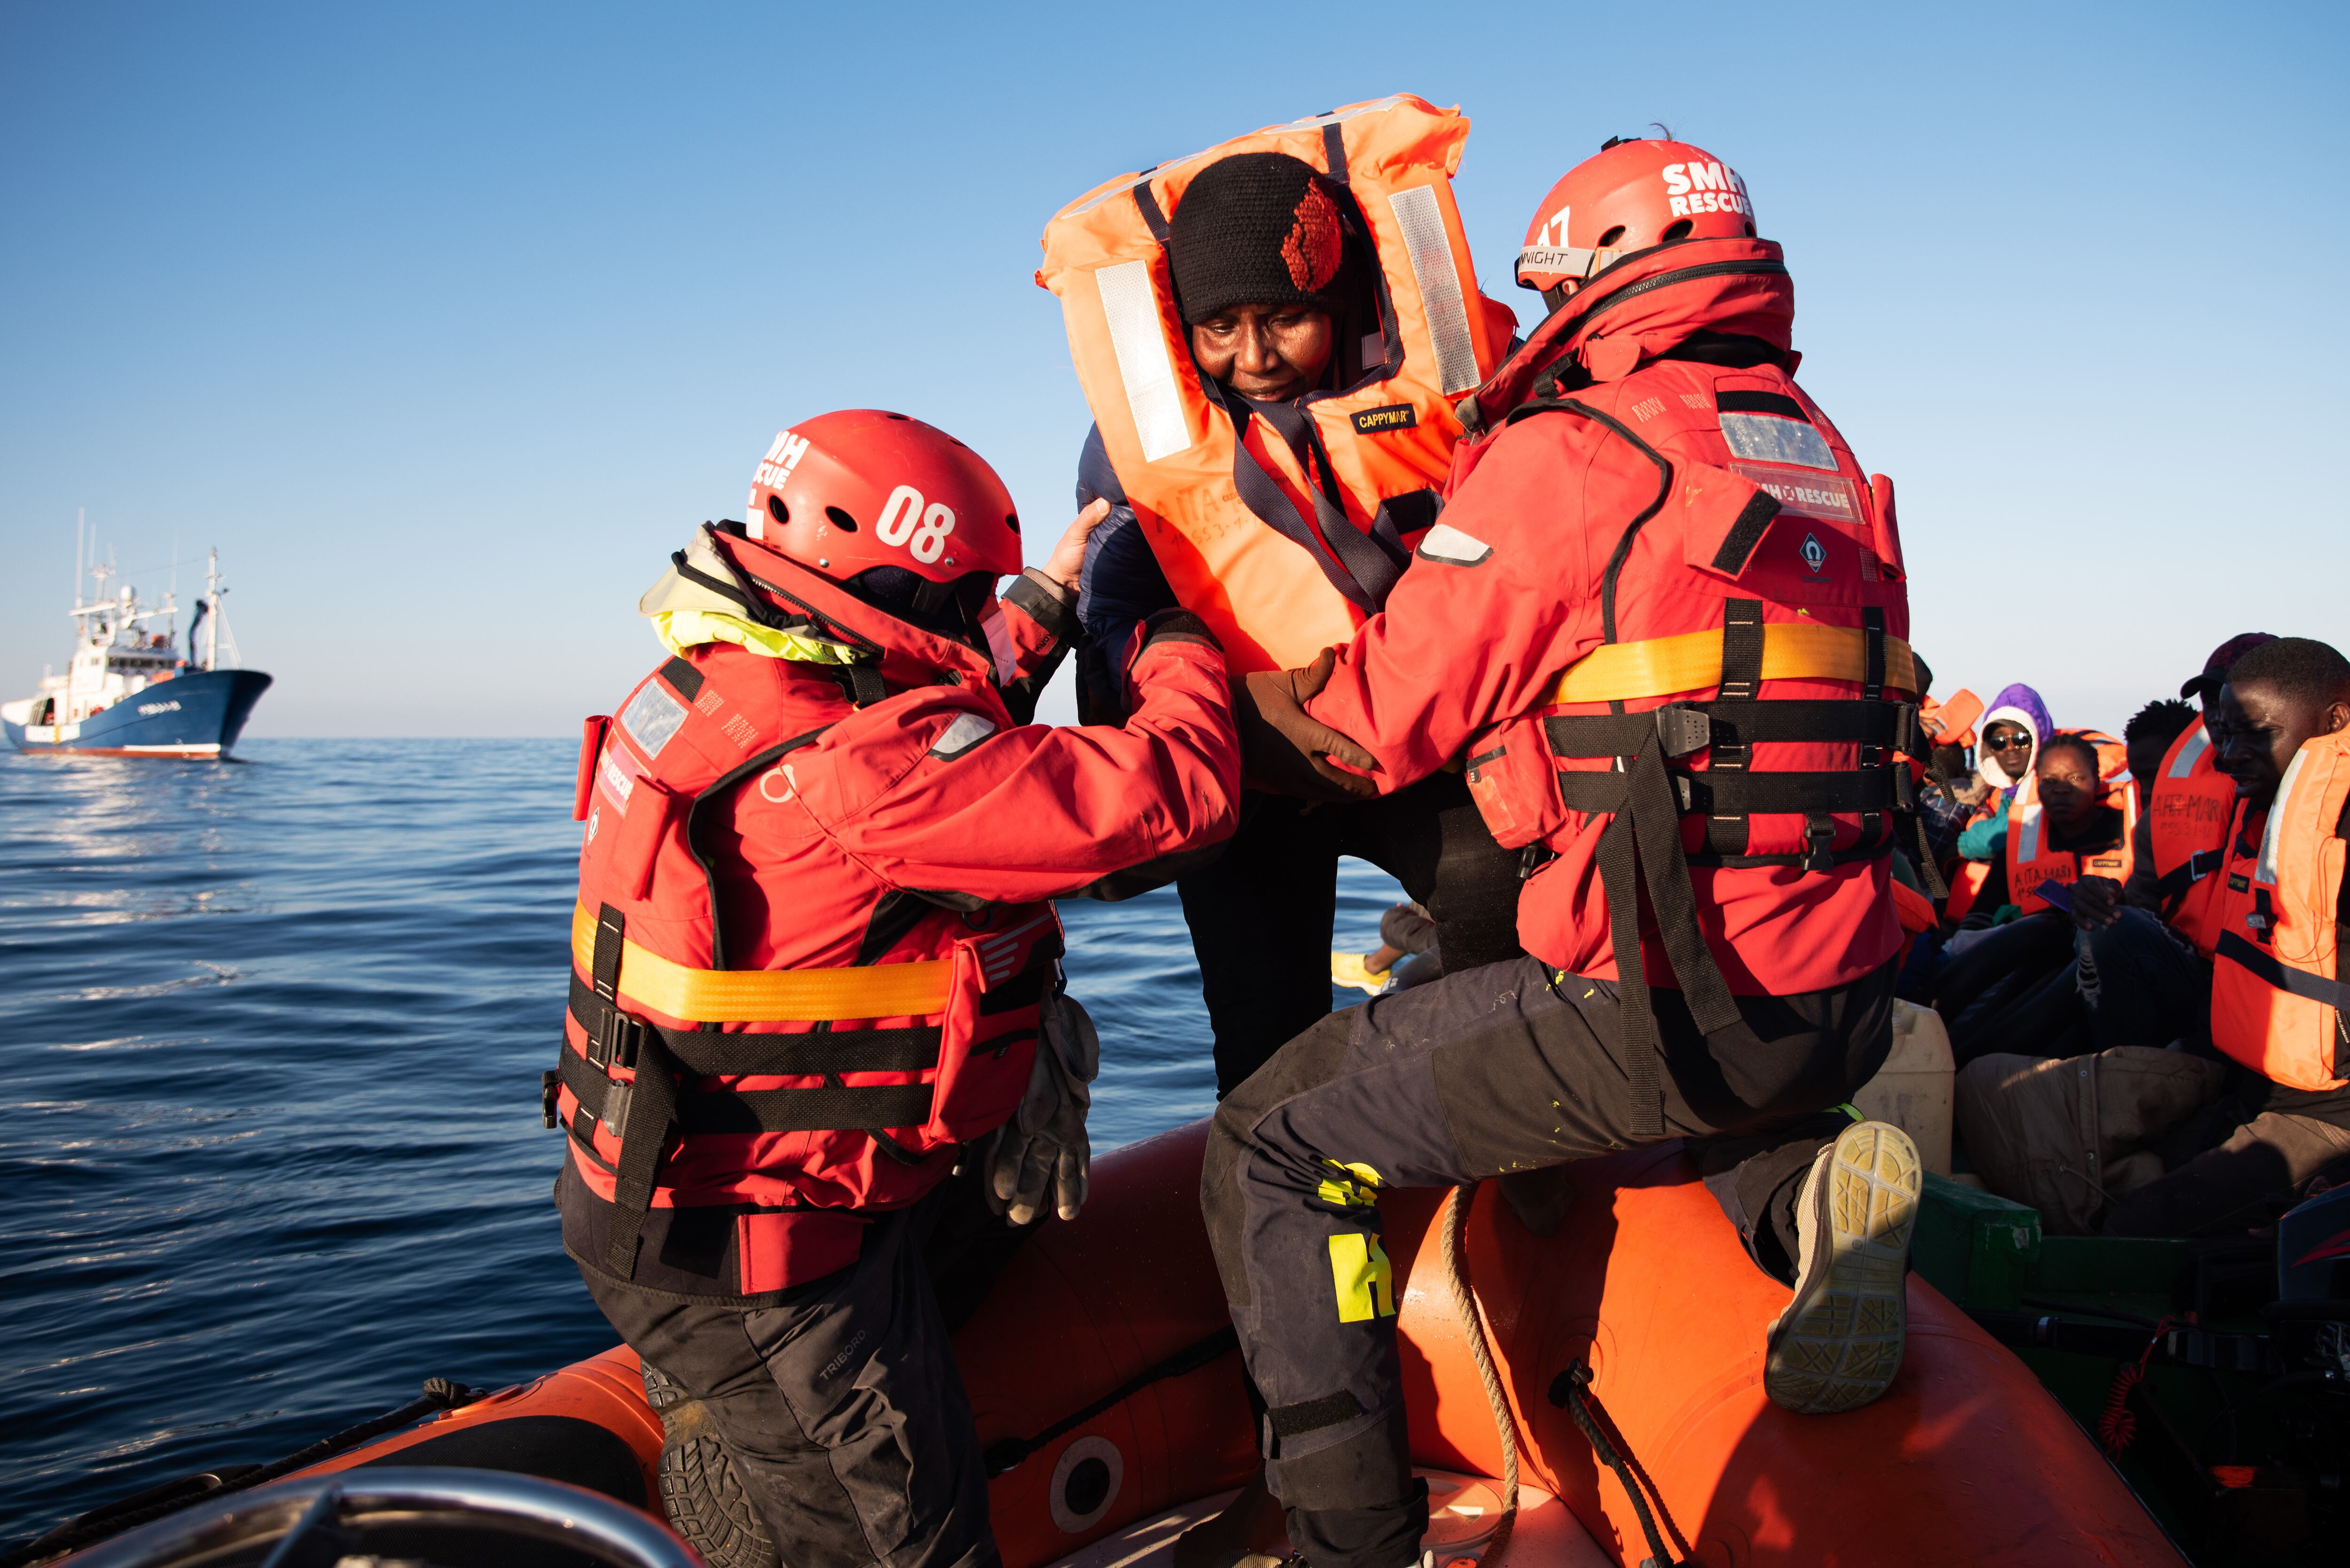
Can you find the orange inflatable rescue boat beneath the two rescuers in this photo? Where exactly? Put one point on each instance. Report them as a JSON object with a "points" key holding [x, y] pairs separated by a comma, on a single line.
{"points": [[1627, 1376]]}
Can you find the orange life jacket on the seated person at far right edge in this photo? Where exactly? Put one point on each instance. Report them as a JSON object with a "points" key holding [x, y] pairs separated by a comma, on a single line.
{"points": [[2276, 979]]}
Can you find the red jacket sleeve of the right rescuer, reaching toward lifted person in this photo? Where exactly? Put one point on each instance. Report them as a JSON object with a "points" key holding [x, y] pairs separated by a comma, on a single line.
{"points": [[1498, 601]]}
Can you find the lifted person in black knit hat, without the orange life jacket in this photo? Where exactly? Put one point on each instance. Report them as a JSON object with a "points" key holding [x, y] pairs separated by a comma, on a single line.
{"points": [[1275, 319]]}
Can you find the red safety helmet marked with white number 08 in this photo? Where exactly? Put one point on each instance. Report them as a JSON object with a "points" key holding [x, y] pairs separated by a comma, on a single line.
{"points": [[854, 490]]}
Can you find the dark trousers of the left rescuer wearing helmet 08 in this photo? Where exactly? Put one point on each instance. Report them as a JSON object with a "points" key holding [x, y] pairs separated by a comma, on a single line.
{"points": [[842, 1407]]}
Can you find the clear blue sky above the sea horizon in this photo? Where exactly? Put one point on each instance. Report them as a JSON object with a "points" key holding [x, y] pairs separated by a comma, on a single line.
{"points": [[450, 321]]}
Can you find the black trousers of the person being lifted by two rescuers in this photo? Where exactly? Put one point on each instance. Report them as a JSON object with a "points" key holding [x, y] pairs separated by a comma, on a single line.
{"points": [[1261, 916]]}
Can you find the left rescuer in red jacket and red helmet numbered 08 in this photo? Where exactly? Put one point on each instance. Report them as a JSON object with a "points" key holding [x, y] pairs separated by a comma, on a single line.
{"points": [[817, 963]]}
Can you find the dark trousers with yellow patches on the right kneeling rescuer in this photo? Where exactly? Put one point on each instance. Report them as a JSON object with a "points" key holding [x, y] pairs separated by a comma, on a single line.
{"points": [[1486, 1071]]}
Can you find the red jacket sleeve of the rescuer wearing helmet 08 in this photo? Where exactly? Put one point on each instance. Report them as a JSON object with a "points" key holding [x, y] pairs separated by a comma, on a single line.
{"points": [[1038, 812]]}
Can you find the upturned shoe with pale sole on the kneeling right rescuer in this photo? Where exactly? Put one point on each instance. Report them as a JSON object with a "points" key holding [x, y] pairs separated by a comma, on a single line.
{"points": [[1839, 1343]]}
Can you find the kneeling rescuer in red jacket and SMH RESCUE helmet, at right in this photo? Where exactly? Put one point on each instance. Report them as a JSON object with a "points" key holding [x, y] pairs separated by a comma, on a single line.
{"points": [[1656, 511]]}
